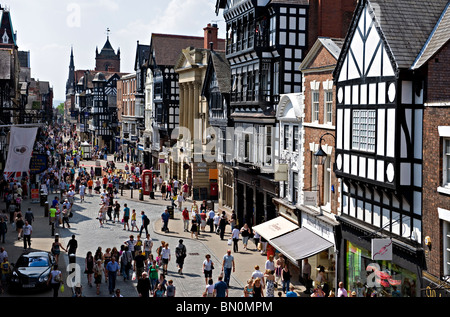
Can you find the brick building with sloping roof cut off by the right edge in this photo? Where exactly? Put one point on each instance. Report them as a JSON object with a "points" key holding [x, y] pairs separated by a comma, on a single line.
{"points": [[434, 64]]}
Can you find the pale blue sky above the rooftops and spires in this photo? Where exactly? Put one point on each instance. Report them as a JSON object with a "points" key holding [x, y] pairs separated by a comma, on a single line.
{"points": [[49, 28]]}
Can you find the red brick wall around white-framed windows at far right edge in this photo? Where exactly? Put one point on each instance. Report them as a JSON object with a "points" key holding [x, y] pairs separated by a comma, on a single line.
{"points": [[438, 83]]}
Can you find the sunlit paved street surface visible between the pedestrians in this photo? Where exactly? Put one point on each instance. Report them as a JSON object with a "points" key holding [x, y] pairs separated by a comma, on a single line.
{"points": [[90, 235]]}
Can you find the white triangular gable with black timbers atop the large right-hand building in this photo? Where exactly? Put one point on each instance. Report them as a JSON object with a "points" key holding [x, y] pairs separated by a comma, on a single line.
{"points": [[367, 54]]}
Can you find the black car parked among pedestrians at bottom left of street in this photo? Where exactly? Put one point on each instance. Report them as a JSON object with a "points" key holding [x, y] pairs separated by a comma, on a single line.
{"points": [[31, 271]]}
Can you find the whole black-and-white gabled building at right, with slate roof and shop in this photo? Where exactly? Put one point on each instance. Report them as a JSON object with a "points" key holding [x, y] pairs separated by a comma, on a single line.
{"points": [[379, 127]]}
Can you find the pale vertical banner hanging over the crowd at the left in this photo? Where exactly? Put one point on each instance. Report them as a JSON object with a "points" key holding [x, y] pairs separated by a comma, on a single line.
{"points": [[21, 143]]}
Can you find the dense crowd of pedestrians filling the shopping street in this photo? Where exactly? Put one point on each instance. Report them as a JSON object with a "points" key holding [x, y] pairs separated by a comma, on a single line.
{"points": [[135, 259]]}
